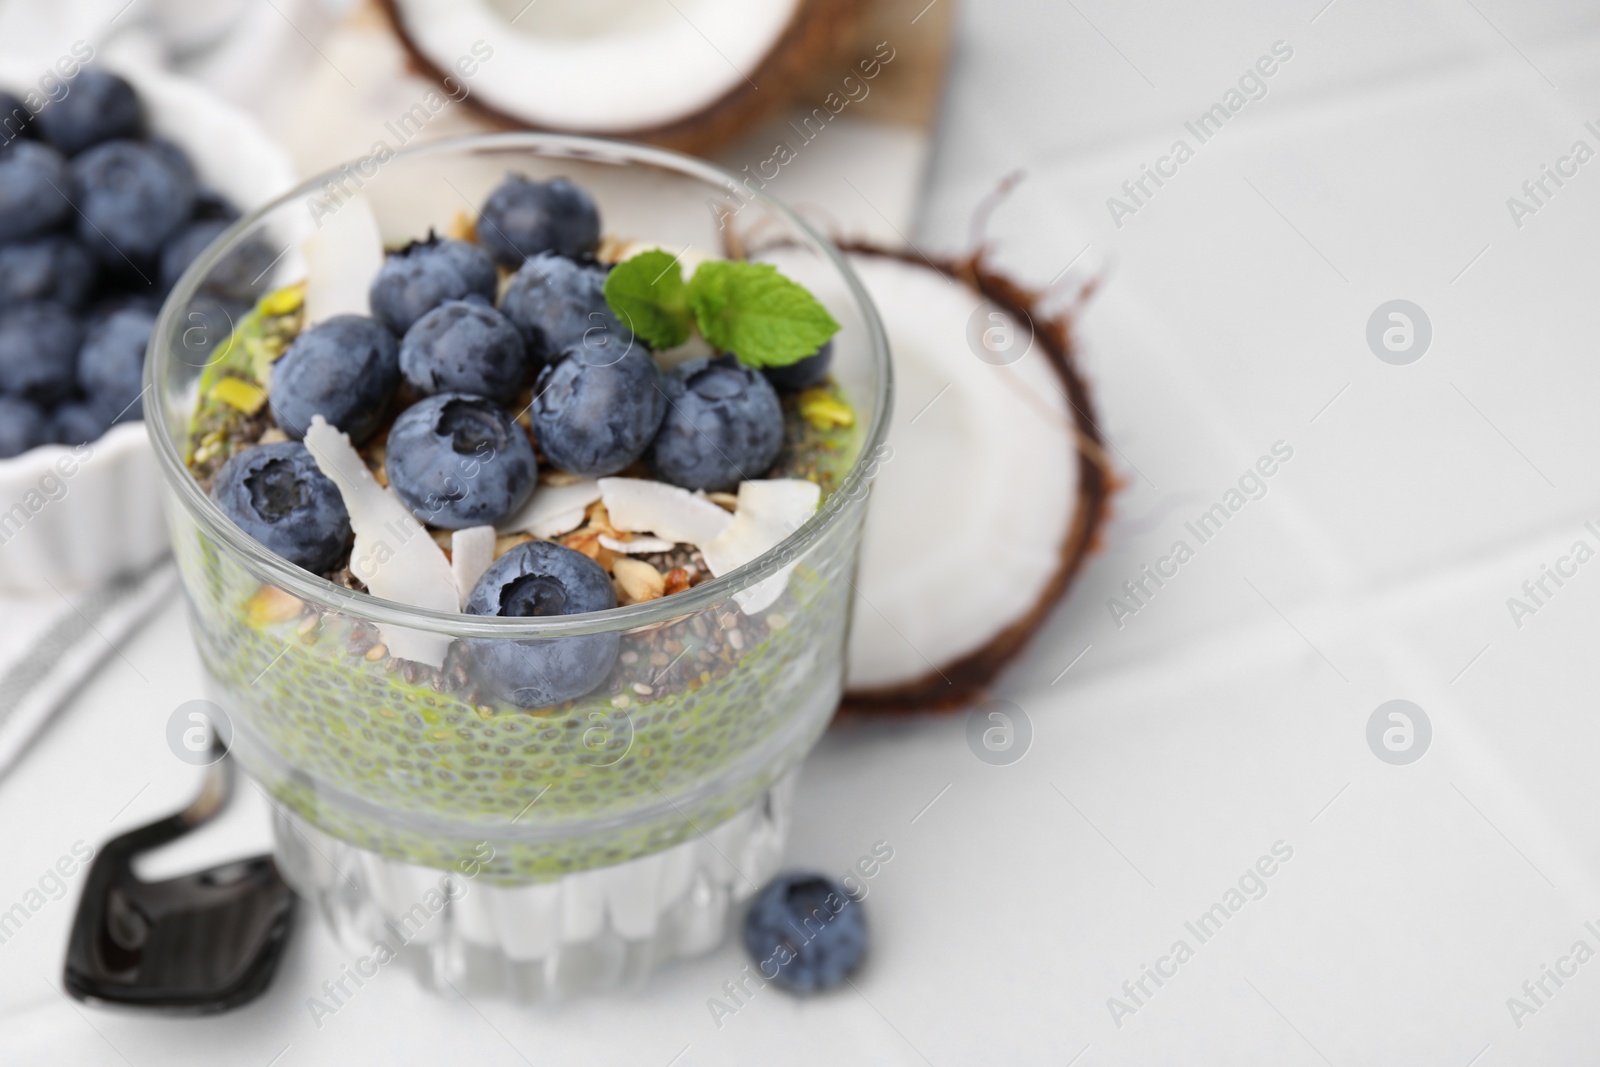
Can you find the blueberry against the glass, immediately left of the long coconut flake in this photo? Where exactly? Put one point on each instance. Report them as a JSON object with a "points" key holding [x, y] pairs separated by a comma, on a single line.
{"points": [[279, 497]]}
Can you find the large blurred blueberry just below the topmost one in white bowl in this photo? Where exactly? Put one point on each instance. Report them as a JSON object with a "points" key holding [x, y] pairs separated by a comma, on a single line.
{"points": [[130, 199]]}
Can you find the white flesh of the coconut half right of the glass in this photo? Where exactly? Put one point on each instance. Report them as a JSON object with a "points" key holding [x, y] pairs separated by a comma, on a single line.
{"points": [[970, 518]]}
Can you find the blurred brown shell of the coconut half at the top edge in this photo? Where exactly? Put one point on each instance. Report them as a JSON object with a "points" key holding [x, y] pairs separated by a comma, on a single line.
{"points": [[817, 36]]}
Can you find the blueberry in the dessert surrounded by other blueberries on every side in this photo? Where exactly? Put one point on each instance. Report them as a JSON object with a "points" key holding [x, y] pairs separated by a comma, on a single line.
{"points": [[465, 348]]}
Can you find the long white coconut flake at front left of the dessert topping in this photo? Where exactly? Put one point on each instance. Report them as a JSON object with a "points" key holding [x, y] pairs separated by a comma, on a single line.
{"points": [[393, 554]]}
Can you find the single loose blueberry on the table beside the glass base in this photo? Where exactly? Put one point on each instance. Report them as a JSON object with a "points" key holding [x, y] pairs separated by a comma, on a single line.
{"points": [[806, 933]]}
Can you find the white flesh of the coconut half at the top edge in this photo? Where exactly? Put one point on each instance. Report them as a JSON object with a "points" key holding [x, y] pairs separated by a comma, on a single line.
{"points": [[602, 66]]}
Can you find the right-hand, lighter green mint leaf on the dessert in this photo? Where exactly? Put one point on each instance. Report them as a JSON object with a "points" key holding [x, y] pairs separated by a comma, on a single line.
{"points": [[758, 314]]}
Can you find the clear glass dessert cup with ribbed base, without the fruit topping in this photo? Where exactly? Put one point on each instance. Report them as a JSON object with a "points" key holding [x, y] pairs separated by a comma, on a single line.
{"points": [[484, 845]]}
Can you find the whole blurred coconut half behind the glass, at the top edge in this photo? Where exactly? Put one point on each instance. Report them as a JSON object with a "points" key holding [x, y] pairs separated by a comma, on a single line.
{"points": [[690, 74]]}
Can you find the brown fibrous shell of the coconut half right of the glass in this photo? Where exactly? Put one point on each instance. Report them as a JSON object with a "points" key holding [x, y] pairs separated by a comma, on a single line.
{"points": [[962, 684]]}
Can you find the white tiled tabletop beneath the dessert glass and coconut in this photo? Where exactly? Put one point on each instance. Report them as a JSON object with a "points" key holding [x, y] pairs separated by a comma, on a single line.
{"points": [[1231, 713]]}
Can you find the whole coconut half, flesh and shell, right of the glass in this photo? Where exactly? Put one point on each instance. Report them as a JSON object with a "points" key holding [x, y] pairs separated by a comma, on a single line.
{"points": [[991, 495]]}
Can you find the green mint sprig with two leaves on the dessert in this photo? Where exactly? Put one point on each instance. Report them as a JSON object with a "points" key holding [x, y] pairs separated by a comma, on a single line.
{"points": [[742, 308]]}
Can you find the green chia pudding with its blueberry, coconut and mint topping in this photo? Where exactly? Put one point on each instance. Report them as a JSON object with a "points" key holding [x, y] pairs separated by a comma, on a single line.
{"points": [[540, 564]]}
